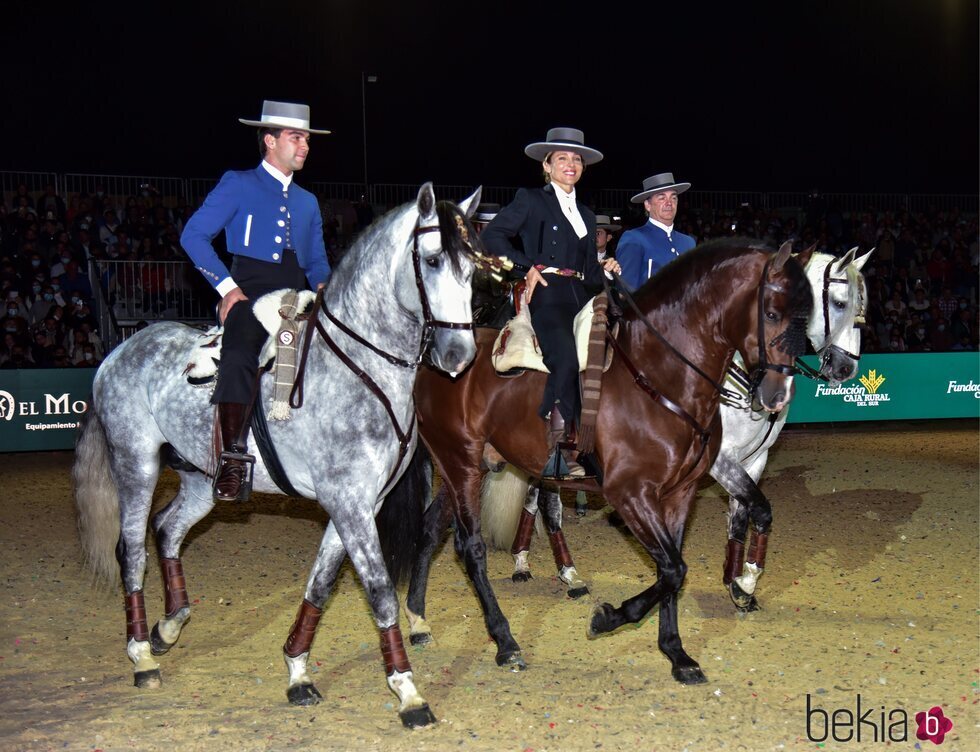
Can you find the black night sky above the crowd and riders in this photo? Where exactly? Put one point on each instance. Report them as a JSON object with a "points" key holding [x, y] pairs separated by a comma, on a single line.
{"points": [[858, 95]]}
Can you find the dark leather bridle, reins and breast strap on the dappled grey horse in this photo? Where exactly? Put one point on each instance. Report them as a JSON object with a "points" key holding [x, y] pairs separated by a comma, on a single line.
{"points": [[428, 326]]}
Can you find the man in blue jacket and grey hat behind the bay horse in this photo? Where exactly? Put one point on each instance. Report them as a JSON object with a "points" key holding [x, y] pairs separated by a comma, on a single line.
{"points": [[643, 251]]}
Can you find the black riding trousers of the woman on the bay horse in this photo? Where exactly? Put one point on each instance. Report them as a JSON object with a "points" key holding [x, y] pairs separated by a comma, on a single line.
{"points": [[553, 311]]}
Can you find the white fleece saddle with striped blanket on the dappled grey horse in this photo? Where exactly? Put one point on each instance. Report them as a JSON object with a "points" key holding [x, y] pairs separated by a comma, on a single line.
{"points": [[281, 313]]}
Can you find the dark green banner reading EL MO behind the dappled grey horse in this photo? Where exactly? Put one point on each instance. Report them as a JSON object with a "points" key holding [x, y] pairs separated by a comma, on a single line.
{"points": [[41, 408]]}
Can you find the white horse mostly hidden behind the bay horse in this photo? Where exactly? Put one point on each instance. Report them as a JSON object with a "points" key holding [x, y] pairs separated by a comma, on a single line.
{"points": [[748, 432]]}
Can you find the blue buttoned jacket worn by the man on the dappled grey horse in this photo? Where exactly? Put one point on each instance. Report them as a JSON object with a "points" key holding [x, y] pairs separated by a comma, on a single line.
{"points": [[260, 220]]}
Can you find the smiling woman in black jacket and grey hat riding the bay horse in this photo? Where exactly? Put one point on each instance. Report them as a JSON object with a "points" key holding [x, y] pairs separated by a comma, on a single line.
{"points": [[558, 236]]}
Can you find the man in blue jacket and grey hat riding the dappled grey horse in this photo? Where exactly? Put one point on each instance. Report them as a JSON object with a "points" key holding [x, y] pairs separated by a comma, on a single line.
{"points": [[274, 232]]}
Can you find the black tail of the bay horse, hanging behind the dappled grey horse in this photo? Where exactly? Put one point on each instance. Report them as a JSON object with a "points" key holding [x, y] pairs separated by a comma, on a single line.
{"points": [[399, 521]]}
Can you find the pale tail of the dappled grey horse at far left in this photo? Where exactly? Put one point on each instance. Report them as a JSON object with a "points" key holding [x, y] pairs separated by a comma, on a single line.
{"points": [[96, 501]]}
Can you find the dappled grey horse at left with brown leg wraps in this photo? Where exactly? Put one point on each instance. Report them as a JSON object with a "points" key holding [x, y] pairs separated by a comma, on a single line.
{"points": [[405, 281]]}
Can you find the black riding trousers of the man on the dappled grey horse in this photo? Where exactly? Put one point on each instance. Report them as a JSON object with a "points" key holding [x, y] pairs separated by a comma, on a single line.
{"points": [[244, 335]]}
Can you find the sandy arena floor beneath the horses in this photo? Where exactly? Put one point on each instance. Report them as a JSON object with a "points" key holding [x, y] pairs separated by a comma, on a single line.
{"points": [[871, 589]]}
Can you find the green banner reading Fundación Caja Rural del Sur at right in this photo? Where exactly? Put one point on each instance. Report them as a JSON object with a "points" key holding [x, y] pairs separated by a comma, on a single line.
{"points": [[894, 387]]}
